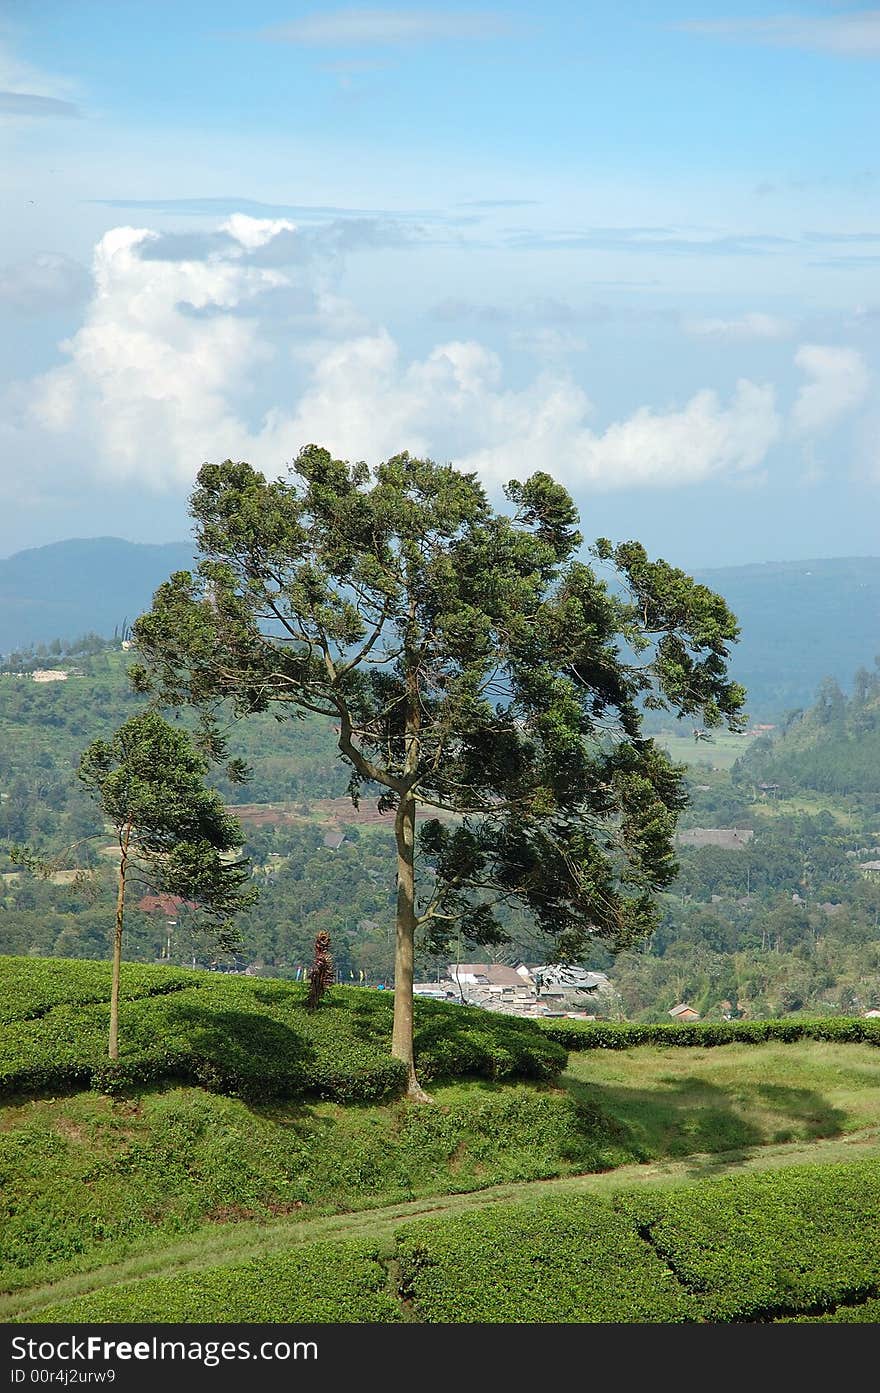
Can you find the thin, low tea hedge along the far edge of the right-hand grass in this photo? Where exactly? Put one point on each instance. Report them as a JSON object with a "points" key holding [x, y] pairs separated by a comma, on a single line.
{"points": [[579, 1036]]}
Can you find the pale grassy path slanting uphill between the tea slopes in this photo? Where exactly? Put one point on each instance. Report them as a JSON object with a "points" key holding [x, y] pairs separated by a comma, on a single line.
{"points": [[214, 1246]]}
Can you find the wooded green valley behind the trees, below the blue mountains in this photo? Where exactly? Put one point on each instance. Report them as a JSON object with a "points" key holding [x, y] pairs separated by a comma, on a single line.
{"points": [[779, 920]]}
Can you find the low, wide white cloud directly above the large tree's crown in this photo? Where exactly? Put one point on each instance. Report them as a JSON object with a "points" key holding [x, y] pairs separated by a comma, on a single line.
{"points": [[364, 402]]}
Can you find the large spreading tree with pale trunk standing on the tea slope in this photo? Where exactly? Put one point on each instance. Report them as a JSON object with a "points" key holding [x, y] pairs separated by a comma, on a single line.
{"points": [[473, 667]]}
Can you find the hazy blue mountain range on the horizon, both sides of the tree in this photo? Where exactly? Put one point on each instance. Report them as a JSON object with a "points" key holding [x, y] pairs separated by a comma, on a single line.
{"points": [[800, 621]]}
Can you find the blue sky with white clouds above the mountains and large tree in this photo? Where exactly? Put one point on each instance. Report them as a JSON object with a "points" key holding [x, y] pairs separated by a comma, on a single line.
{"points": [[634, 246]]}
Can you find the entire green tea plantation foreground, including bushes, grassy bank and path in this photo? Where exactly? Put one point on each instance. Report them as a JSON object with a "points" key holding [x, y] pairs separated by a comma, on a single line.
{"points": [[249, 1161]]}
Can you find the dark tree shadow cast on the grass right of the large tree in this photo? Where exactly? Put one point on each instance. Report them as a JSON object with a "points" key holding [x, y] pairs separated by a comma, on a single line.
{"points": [[691, 1115]]}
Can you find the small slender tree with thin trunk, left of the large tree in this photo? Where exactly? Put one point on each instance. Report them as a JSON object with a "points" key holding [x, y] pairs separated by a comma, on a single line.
{"points": [[148, 781]]}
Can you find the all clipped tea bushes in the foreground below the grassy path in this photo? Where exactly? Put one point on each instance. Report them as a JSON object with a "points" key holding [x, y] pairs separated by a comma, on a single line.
{"points": [[785, 1245]]}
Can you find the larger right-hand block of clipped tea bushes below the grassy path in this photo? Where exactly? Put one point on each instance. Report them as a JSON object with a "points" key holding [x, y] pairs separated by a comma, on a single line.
{"points": [[748, 1249]]}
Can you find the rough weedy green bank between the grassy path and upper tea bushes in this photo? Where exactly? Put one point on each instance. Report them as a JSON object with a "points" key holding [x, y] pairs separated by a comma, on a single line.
{"points": [[88, 1179]]}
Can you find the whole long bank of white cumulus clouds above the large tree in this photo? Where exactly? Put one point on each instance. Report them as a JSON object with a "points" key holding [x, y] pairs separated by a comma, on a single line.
{"points": [[173, 357]]}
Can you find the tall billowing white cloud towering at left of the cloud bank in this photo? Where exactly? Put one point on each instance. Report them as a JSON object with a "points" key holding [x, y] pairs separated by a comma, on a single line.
{"points": [[147, 388]]}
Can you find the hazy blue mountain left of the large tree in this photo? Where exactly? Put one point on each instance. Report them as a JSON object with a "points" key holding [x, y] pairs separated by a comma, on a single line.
{"points": [[87, 584]]}
